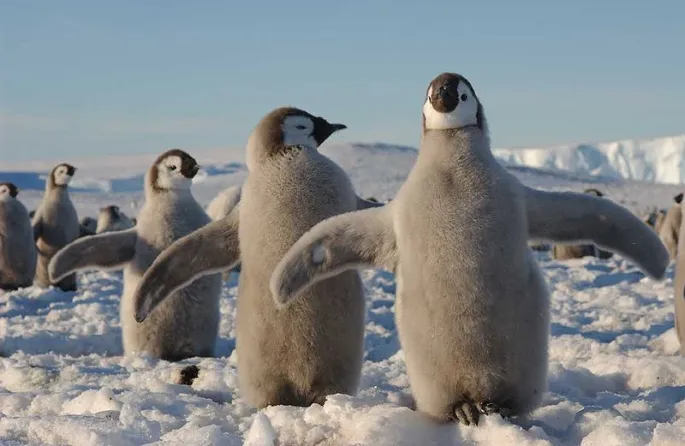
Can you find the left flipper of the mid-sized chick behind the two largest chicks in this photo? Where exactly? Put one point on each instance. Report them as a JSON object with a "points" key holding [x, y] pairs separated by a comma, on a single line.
{"points": [[103, 251]]}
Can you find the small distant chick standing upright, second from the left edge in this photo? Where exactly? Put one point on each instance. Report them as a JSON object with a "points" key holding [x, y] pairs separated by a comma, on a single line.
{"points": [[55, 225]]}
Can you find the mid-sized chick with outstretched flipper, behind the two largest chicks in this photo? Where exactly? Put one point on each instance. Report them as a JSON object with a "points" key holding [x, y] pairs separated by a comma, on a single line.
{"points": [[187, 323]]}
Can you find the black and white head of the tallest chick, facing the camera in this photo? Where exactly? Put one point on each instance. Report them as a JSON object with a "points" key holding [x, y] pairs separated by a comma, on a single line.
{"points": [[451, 103]]}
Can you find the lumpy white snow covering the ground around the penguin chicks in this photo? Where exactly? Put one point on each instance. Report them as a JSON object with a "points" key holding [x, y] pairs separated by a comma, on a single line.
{"points": [[615, 375]]}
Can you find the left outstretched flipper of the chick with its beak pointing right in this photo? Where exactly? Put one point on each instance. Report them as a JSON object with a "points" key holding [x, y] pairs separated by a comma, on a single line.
{"points": [[208, 250]]}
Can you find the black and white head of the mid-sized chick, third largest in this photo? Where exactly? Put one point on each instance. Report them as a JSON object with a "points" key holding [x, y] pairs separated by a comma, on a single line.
{"points": [[173, 170]]}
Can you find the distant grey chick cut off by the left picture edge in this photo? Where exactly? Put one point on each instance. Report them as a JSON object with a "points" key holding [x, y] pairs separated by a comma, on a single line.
{"points": [[17, 247]]}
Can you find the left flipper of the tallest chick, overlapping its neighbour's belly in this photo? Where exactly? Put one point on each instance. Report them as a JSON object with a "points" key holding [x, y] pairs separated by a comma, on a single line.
{"points": [[343, 242]]}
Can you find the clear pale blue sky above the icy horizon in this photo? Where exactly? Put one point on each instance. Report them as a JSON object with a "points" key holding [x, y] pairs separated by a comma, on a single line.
{"points": [[84, 78]]}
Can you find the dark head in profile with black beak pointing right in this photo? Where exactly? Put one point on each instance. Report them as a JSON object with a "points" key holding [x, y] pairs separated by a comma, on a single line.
{"points": [[286, 128]]}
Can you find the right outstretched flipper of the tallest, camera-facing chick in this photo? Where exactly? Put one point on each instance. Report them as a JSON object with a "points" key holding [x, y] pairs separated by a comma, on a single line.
{"points": [[571, 217]]}
